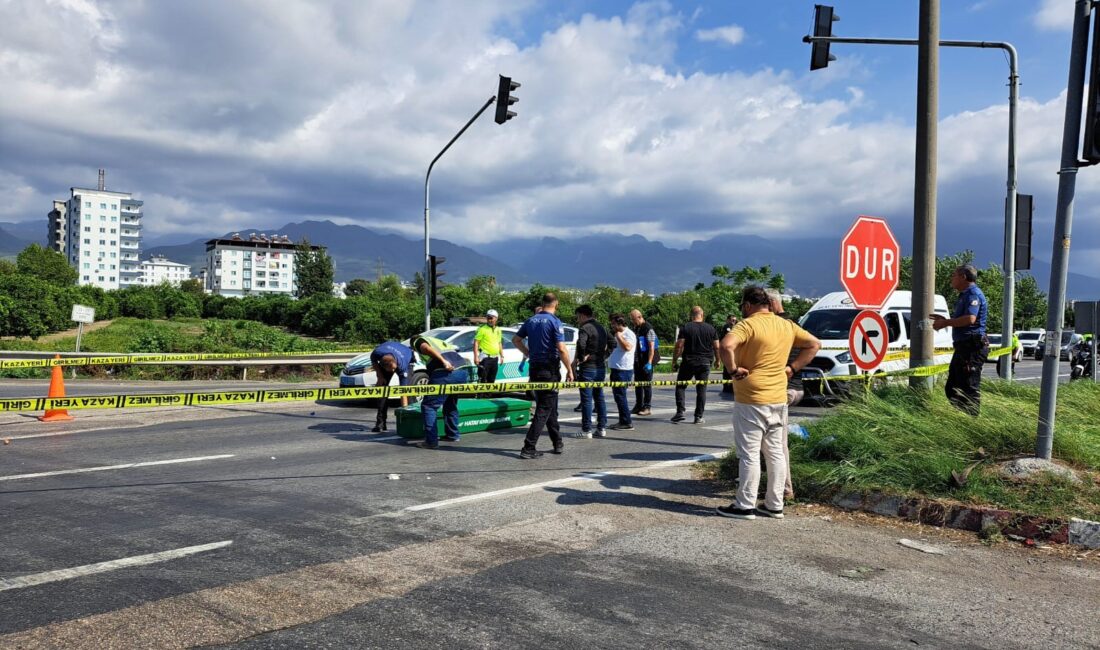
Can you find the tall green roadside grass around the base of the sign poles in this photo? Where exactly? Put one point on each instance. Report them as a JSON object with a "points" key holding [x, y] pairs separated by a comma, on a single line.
{"points": [[896, 442]]}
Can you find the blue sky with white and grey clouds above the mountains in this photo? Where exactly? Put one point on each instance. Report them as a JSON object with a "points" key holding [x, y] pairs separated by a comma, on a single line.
{"points": [[675, 120]]}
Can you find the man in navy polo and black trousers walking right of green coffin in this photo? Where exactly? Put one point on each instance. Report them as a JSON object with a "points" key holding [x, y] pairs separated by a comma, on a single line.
{"points": [[546, 348]]}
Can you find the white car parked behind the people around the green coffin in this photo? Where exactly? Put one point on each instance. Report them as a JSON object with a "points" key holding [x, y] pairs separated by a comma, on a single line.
{"points": [[358, 372]]}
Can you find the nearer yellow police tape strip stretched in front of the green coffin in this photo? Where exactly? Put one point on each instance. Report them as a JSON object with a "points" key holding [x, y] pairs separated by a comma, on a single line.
{"points": [[284, 395]]}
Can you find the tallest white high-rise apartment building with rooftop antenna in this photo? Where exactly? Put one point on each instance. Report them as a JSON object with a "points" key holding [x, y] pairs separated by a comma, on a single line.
{"points": [[100, 234]]}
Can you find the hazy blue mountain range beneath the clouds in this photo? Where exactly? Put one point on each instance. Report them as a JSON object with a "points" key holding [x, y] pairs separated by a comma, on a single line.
{"points": [[630, 261]]}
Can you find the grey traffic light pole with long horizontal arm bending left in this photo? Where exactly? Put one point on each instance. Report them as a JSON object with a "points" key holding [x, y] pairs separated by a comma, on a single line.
{"points": [[1008, 315]]}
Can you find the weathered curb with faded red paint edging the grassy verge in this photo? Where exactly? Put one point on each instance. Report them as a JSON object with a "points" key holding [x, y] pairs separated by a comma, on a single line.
{"points": [[973, 519]]}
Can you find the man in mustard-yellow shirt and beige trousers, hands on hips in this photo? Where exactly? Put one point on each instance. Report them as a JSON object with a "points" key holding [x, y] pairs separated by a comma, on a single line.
{"points": [[757, 350]]}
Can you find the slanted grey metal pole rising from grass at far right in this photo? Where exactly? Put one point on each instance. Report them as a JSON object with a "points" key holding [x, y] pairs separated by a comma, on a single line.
{"points": [[1063, 224]]}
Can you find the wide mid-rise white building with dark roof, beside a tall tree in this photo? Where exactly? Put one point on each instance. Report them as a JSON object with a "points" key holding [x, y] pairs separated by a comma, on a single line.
{"points": [[259, 266]]}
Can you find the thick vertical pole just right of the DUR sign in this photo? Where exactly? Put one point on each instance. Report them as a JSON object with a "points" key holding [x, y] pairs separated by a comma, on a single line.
{"points": [[925, 191]]}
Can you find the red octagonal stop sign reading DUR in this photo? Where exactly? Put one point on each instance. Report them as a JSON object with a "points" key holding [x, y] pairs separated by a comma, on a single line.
{"points": [[871, 261]]}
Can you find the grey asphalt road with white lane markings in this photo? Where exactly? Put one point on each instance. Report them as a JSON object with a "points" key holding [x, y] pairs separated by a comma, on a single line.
{"points": [[292, 526]]}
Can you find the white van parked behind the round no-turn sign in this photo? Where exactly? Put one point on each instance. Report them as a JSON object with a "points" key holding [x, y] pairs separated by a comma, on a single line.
{"points": [[831, 318]]}
